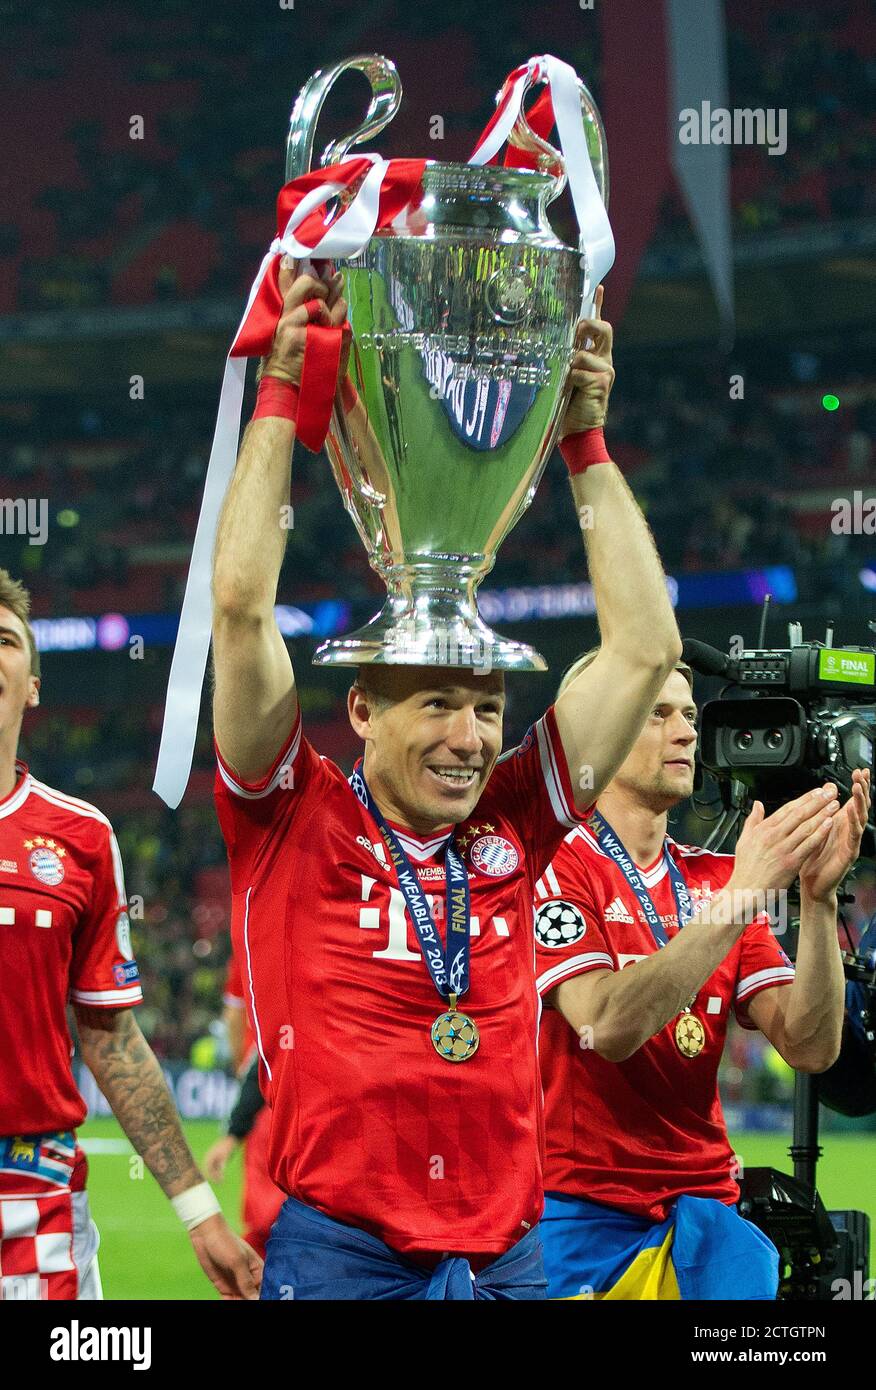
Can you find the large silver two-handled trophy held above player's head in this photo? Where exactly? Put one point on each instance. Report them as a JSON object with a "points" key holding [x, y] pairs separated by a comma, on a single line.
{"points": [[464, 315]]}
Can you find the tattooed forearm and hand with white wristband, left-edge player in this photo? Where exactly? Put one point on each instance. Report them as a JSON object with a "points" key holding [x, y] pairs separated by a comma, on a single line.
{"points": [[127, 1071]]}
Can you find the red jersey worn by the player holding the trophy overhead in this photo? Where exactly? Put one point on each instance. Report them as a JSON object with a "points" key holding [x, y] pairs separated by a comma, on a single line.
{"points": [[369, 1122]]}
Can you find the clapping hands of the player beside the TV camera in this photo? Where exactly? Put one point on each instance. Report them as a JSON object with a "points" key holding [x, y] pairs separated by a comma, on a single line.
{"points": [[772, 850]]}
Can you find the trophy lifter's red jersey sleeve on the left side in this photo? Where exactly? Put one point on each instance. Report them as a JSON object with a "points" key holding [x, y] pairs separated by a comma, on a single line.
{"points": [[250, 814]]}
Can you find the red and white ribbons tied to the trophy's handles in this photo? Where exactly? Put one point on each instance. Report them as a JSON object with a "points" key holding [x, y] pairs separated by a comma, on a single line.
{"points": [[305, 233]]}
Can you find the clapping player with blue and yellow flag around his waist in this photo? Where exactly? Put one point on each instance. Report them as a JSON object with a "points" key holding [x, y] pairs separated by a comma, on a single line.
{"points": [[644, 949]]}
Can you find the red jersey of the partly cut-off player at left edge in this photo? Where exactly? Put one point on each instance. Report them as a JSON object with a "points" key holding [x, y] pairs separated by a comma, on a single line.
{"points": [[65, 935]]}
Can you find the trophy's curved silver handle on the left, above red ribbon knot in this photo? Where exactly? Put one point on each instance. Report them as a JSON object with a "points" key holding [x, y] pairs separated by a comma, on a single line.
{"points": [[386, 99]]}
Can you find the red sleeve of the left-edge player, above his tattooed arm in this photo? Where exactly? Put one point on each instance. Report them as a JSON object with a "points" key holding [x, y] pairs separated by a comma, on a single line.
{"points": [[104, 971]]}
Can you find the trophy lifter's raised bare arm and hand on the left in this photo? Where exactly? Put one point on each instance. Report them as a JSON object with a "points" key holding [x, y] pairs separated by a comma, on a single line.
{"points": [[255, 701]]}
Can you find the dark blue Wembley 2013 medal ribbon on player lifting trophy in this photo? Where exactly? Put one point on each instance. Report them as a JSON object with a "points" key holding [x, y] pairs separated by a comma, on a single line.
{"points": [[447, 964]]}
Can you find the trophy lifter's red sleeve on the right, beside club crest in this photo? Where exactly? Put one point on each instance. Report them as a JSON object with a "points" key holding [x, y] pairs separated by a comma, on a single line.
{"points": [[533, 789]]}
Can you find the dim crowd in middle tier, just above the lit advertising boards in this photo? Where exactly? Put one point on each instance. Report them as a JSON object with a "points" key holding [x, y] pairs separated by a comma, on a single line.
{"points": [[123, 489]]}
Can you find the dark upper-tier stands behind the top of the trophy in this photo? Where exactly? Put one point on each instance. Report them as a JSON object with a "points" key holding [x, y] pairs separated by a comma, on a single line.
{"points": [[186, 209]]}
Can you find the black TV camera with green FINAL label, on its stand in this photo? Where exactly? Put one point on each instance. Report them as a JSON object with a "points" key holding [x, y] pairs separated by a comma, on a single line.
{"points": [[789, 721]]}
